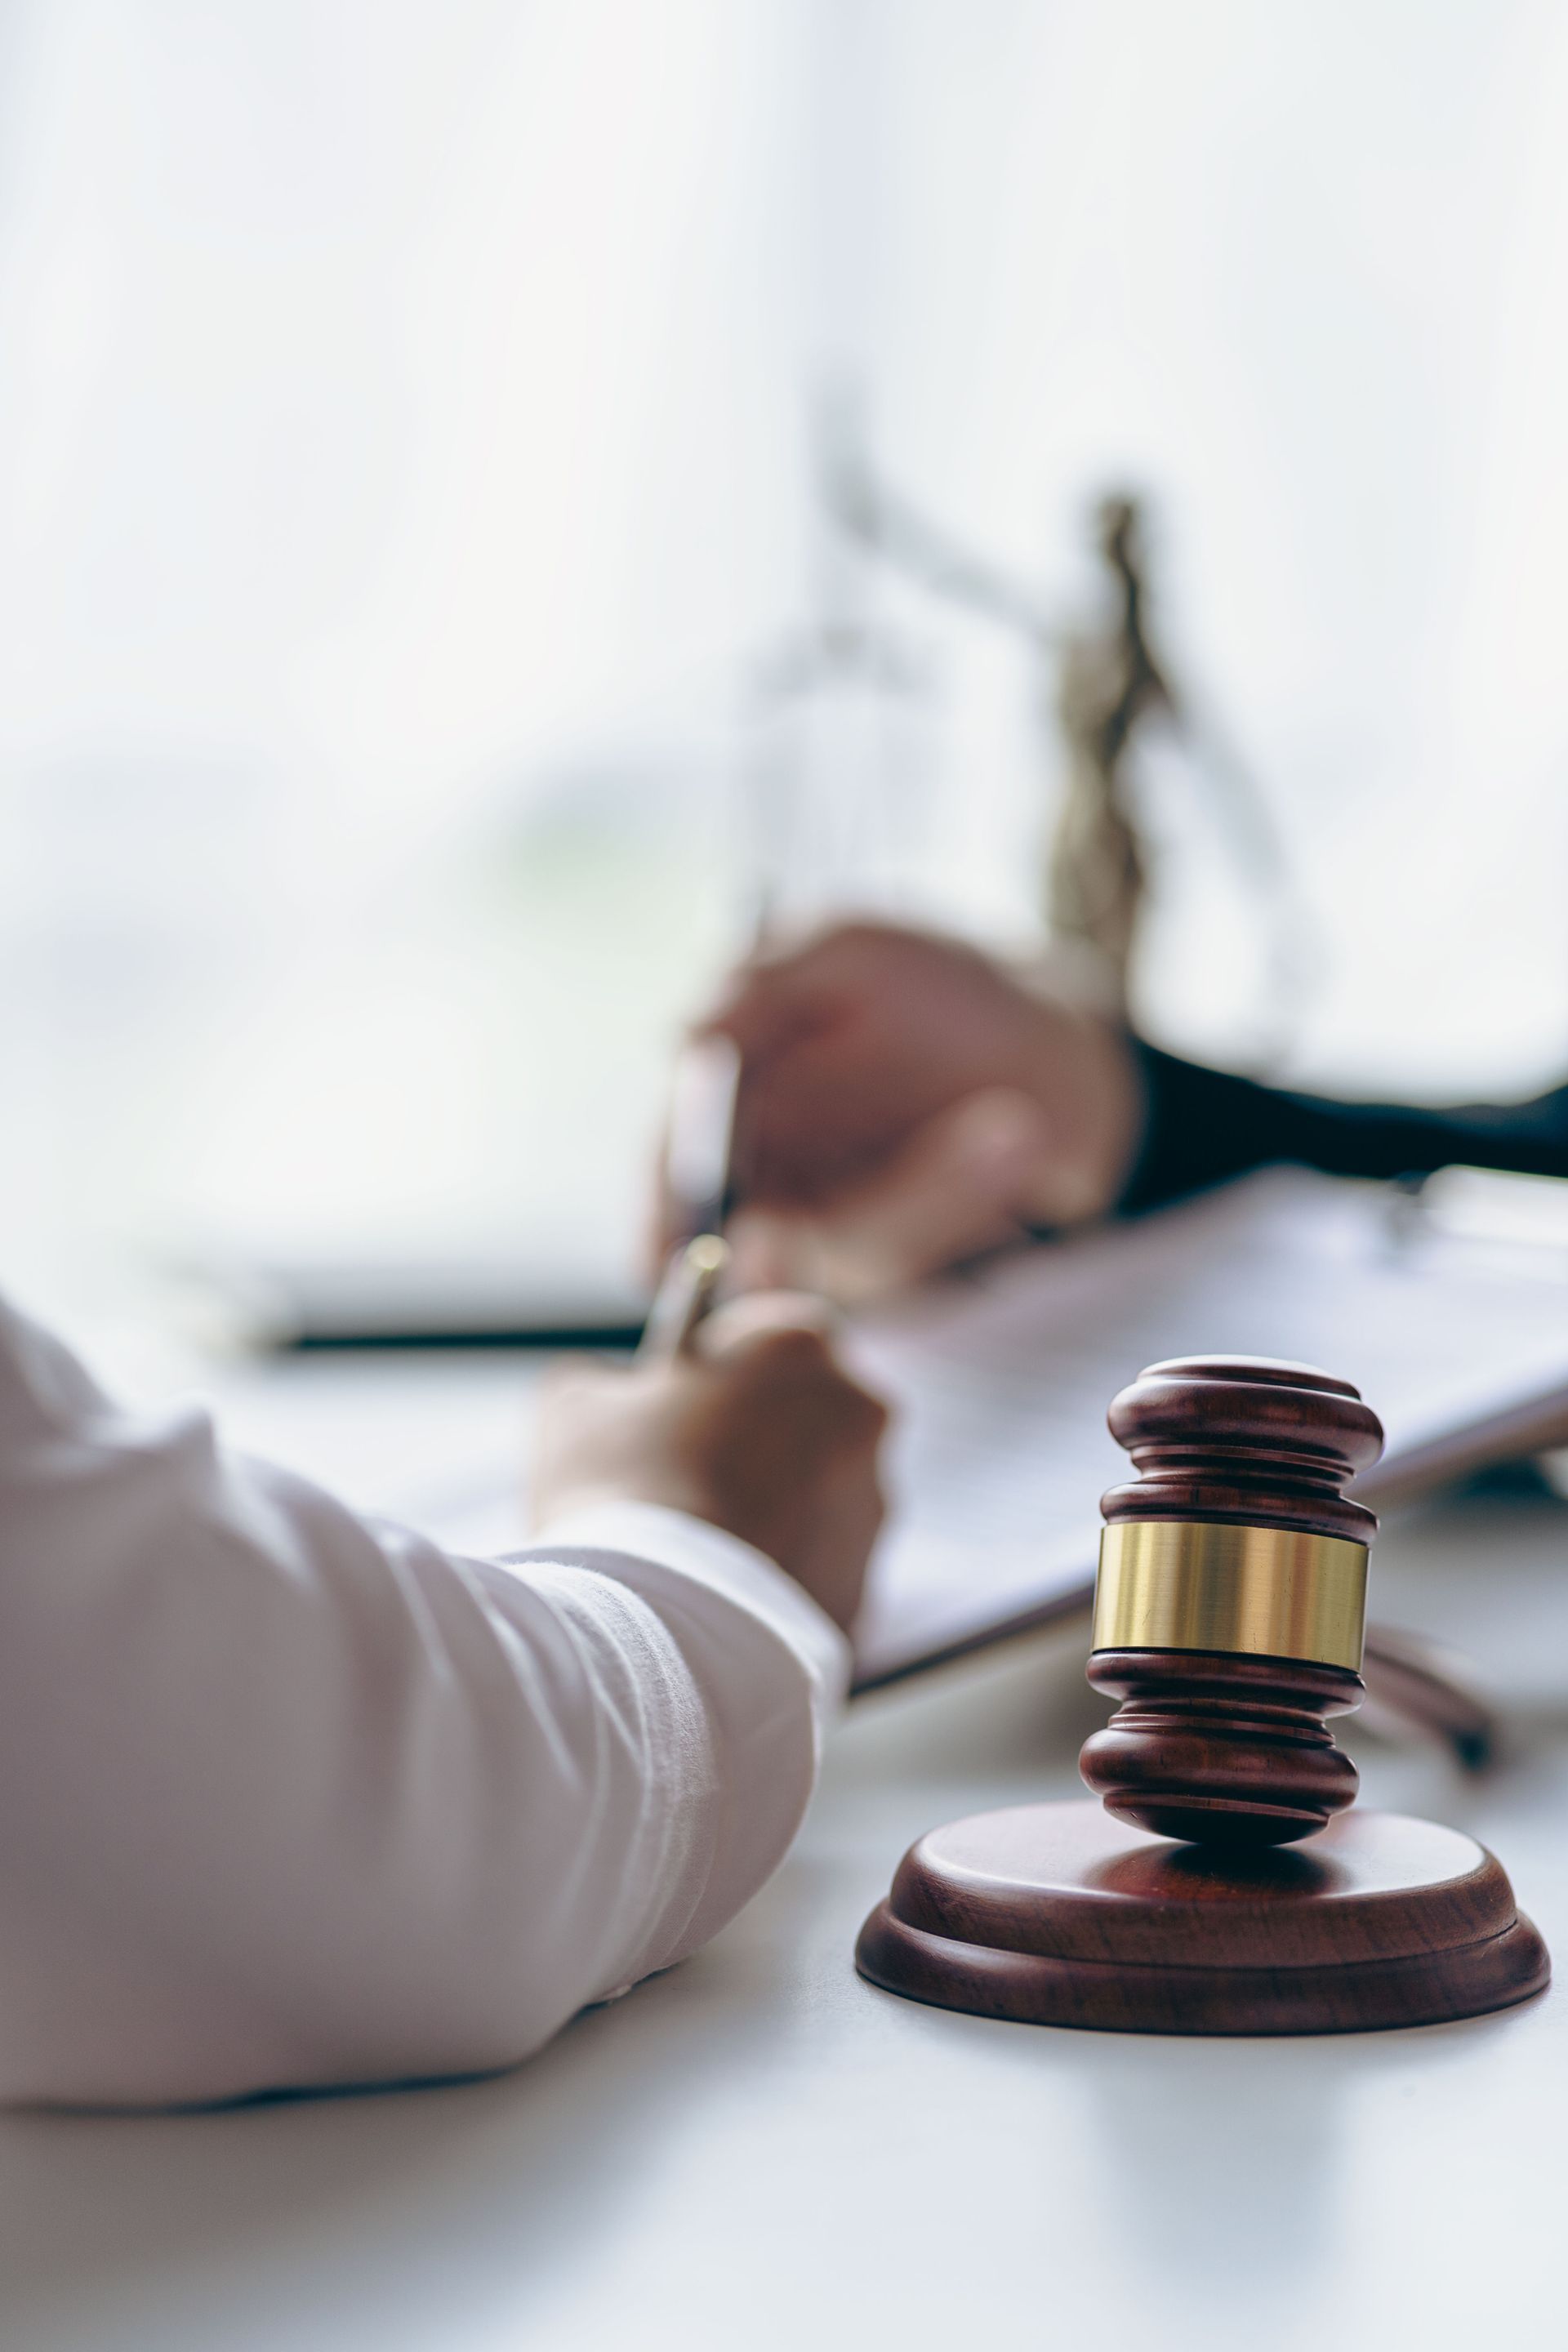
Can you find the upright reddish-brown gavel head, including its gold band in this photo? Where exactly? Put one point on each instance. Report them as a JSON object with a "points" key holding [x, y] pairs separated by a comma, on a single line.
{"points": [[1233, 1601]]}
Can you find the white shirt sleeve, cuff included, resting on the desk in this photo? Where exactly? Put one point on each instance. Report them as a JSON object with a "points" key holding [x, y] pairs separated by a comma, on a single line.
{"points": [[290, 1798]]}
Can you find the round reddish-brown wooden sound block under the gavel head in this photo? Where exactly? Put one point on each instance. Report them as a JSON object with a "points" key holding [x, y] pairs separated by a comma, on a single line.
{"points": [[1061, 1916]]}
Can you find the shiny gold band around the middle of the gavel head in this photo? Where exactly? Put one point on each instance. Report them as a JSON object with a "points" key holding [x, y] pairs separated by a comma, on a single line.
{"points": [[1266, 1591]]}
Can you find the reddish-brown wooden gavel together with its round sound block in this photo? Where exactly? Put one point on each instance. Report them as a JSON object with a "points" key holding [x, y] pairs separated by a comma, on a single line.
{"points": [[1226, 1885]]}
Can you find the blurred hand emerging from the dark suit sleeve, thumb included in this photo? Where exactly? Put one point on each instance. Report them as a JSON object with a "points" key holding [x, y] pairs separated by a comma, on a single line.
{"points": [[904, 1104]]}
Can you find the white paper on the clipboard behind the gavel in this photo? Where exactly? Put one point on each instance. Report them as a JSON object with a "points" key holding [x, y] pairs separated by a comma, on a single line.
{"points": [[1000, 1450]]}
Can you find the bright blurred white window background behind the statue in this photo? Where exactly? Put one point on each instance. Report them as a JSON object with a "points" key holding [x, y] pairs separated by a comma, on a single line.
{"points": [[492, 493]]}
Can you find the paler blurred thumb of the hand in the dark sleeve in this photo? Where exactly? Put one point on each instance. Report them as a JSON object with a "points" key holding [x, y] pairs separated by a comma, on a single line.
{"points": [[965, 1182]]}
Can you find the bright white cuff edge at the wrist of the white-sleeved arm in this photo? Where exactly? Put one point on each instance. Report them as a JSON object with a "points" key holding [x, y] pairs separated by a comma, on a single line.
{"points": [[711, 1558]]}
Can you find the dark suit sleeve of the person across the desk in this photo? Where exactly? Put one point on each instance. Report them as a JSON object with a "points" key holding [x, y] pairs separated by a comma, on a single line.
{"points": [[1207, 1125]]}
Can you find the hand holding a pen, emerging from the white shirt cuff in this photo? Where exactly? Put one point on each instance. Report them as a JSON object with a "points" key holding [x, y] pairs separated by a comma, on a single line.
{"points": [[753, 1429]]}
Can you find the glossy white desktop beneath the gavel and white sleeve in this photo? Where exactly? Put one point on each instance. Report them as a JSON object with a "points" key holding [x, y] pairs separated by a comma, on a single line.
{"points": [[758, 2151]]}
